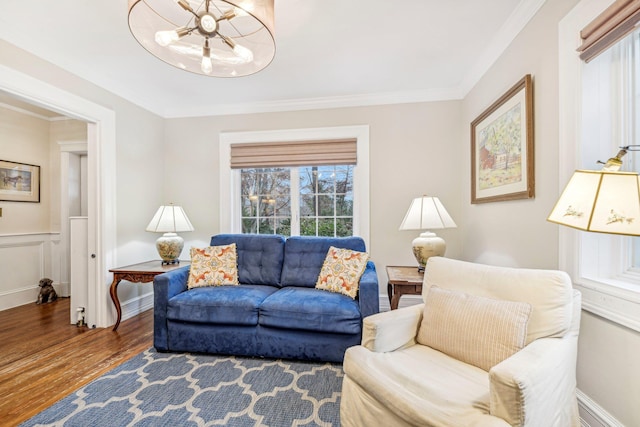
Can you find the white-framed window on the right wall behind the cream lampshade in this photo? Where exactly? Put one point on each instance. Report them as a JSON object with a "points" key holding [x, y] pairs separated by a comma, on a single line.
{"points": [[599, 106]]}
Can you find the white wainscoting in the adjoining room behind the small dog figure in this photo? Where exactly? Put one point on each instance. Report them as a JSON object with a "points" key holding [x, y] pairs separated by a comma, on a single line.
{"points": [[24, 260]]}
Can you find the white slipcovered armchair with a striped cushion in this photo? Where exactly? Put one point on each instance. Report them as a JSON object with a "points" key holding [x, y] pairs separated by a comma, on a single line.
{"points": [[489, 346]]}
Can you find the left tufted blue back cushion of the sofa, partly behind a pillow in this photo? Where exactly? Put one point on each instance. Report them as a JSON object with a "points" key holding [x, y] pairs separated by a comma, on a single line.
{"points": [[260, 257]]}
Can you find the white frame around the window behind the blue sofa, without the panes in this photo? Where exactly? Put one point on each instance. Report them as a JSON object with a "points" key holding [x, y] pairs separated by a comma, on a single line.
{"points": [[230, 220]]}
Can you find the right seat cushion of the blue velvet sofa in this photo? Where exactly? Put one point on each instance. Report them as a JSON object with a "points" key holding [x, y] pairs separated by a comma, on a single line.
{"points": [[312, 310]]}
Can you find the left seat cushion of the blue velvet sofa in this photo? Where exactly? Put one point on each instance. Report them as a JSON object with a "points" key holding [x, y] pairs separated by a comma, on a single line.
{"points": [[230, 305]]}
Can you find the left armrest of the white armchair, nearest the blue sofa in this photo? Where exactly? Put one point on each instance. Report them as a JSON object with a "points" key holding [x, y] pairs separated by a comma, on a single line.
{"points": [[392, 330]]}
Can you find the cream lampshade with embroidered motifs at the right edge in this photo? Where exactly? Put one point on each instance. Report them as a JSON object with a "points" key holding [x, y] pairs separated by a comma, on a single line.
{"points": [[600, 201]]}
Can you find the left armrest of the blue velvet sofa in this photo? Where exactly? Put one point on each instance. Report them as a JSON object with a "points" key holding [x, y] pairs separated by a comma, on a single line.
{"points": [[166, 286]]}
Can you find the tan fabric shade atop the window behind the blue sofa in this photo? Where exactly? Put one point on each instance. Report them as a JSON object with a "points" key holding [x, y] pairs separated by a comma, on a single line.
{"points": [[294, 153]]}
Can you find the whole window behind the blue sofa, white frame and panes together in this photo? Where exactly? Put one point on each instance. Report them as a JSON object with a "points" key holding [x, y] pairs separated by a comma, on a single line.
{"points": [[305, 199]]}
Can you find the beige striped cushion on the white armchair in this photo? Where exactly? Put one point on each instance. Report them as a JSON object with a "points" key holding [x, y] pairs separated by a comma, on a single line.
{"points": [[476, 330]]}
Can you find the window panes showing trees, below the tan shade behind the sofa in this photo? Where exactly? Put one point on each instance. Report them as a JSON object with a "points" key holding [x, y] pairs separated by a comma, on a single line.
{"points": [[307, 201]]}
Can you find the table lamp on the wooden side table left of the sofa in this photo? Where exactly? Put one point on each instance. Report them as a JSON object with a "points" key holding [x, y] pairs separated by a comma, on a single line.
{"points": [[169, 220]]}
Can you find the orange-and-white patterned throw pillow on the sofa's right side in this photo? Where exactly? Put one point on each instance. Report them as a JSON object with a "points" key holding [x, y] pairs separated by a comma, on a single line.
{"points": [[341, 271]]}
